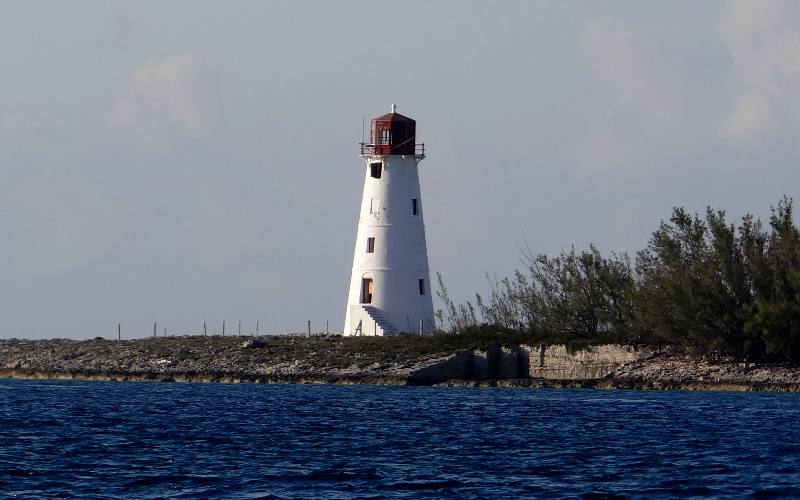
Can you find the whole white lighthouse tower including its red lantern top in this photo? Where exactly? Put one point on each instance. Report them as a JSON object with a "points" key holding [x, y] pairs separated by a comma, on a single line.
{"points": [[390, 285]]}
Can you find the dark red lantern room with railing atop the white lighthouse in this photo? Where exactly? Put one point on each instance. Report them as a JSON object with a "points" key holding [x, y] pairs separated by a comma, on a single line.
{"points": [[392, 134]]}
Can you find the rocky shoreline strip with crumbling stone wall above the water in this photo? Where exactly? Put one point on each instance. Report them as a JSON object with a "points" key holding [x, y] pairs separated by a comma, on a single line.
{"points": [[442, 361]]}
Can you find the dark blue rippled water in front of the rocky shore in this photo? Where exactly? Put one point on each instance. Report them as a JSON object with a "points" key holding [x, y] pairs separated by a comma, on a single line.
{"points": [[77, 439]]}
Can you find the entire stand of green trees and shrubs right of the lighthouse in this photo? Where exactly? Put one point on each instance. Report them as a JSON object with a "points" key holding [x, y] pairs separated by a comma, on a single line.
{"points": [[702, 283]]}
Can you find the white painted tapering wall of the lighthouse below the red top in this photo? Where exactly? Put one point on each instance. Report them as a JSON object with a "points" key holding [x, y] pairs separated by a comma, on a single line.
{"points": [[401, 256]]}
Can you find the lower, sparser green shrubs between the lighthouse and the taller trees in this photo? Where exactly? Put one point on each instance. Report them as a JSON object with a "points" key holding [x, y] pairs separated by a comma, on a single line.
{"points": [[574, 295]]}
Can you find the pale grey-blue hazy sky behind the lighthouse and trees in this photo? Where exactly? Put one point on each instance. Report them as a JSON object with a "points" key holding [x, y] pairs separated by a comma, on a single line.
{"points": [[193, 161]]}
